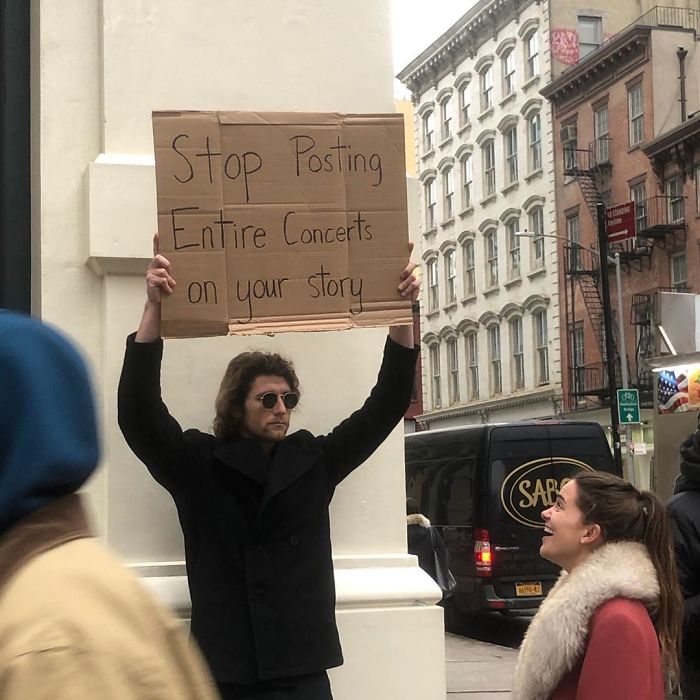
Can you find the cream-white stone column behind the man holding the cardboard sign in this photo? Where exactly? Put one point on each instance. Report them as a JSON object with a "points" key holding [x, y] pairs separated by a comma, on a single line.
{"points": [[99, 69]]}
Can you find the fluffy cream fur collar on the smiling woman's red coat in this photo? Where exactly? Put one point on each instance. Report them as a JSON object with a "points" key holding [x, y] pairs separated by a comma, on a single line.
{"points": [[556, 638]]}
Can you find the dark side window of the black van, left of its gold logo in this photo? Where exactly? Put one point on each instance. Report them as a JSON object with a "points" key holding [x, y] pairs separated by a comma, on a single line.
{"points": [[440, 473]]}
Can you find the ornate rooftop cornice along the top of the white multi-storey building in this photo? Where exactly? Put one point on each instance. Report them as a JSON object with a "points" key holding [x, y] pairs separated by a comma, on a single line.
{"points": [[461, 40]]}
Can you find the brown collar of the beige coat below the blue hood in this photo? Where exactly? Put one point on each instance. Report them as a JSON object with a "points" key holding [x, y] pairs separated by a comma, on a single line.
{"points": [[61, 521]]}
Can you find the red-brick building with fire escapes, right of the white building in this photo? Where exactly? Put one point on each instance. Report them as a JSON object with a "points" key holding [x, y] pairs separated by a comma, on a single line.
{"points": [[612, 111]]}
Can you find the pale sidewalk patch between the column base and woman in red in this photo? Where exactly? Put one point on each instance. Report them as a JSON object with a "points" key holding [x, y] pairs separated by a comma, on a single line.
{"points": [[477, 670]]}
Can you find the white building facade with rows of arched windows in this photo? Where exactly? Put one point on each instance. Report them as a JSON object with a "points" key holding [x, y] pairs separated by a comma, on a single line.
{"points": [[490, 309]]}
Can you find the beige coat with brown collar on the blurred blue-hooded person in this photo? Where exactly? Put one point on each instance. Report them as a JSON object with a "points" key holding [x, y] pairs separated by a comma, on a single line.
{"points": [[75, 624]]}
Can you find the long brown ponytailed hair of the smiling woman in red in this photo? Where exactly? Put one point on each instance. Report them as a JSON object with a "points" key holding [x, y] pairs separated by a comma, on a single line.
{"points": [[626, 514]]}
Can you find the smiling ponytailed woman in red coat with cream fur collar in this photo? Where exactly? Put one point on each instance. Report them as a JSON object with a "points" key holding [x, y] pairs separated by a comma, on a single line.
{"points": [[610, 627]]}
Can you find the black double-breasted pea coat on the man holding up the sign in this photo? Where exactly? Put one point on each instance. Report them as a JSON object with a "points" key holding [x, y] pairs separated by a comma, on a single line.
{"points": [[257, 535]]}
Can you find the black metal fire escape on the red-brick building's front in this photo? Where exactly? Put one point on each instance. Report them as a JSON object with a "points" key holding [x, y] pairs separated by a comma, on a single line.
{"points": [[659, 222]]}
